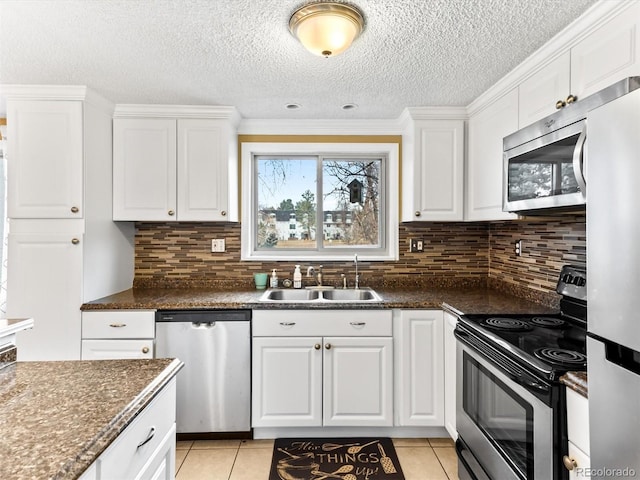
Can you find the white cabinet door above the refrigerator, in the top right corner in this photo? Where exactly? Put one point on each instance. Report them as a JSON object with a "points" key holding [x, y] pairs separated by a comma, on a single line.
{"points": [[607, 55]]}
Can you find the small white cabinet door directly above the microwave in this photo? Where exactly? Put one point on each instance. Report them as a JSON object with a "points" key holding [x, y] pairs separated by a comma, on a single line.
{"points": [[538, 94]]}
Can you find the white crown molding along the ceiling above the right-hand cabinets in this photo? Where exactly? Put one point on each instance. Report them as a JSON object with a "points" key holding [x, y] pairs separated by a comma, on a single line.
{"points": [[596, 16]]}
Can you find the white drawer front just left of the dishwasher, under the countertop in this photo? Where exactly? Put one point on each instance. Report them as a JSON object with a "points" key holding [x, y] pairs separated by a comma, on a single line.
{"points": [[118, 324]]}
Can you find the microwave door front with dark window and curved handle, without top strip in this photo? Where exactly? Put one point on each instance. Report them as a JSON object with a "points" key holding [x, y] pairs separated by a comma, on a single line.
{"points": [[547, 172]]}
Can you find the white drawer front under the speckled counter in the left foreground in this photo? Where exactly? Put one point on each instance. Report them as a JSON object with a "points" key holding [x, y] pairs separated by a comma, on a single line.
{"points": [[129, 453]]}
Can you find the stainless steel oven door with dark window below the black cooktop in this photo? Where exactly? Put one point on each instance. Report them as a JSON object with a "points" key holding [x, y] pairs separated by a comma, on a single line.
{"points": [[507, 429]]}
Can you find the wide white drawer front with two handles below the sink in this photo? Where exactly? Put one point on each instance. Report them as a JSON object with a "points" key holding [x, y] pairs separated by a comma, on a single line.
{"points": [[301, 323]]}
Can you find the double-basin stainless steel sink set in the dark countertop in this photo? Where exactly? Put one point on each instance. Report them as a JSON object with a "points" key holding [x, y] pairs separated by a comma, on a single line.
{"points": [[278, 295]]}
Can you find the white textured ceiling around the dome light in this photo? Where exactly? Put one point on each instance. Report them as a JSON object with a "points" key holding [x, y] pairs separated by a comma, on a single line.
{"points": [[240, 52]]}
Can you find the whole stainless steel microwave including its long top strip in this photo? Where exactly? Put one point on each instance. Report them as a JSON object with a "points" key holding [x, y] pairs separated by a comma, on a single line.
{"points": [[545, 164]]}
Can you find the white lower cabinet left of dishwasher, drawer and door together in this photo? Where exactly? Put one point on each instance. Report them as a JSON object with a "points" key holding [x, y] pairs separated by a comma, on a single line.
{"points": [[114, 334]]}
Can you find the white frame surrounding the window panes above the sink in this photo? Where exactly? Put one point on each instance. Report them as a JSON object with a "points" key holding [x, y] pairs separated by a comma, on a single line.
{"points": [[389, 151]]}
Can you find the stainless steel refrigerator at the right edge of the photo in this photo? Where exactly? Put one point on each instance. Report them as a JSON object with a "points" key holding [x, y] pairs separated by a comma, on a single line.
{"points": [[613, 266]]}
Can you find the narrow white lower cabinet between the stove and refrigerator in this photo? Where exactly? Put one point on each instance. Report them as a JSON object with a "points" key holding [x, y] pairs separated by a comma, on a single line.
{"points": [[577, 461]]}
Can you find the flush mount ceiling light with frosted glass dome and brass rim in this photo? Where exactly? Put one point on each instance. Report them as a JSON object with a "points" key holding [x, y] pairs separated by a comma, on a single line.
{"points": [[326, 29]]}
